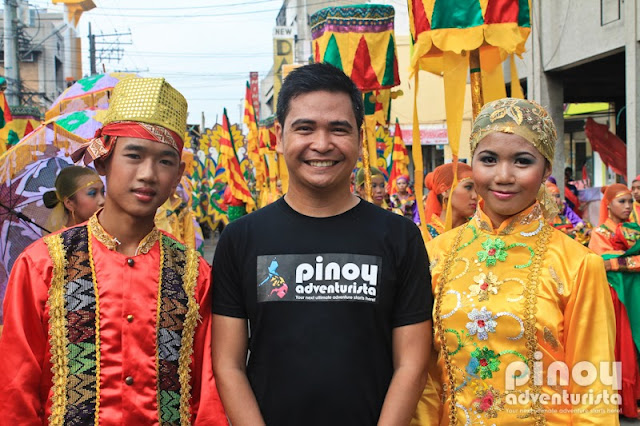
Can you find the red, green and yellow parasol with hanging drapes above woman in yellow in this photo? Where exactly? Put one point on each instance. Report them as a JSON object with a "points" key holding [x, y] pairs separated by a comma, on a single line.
{"points": [[461, 37]]}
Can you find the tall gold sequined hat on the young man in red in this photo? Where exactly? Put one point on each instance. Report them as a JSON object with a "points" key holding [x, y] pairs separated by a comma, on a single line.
{"points": [[148, 100]]}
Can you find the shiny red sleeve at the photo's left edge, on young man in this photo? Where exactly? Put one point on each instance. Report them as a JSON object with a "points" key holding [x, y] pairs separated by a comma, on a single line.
{"points": [[23, 344]]}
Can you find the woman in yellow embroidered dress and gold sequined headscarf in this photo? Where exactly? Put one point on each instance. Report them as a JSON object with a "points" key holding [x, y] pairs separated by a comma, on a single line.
{"points": [[513, 295]]}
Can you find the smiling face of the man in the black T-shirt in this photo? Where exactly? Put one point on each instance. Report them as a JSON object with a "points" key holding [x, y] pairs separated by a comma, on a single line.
{"points": [[320, 141]]}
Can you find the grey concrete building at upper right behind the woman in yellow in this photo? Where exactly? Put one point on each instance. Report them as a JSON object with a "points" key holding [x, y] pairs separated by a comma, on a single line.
{"points": [[586, 51]]}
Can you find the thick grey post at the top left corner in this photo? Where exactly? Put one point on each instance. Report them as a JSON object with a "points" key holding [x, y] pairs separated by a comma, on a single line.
{"points": [[11, 62]]}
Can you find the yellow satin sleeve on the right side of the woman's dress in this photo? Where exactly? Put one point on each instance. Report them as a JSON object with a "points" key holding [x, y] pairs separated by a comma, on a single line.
{"points": [[589, 337]]}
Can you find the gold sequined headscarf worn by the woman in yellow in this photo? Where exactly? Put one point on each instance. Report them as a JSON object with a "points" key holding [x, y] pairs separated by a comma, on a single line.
{"points": [[526, 119]]}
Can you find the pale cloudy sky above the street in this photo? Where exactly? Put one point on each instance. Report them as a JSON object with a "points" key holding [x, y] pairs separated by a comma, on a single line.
{"points": [[204, 48]]}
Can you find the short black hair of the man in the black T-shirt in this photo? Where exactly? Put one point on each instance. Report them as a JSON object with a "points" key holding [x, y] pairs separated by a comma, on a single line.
{"points": [[314, 78]]}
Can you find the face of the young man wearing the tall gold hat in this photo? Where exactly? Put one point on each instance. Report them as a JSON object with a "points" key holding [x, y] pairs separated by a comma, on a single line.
{"points": [[141, 174]]}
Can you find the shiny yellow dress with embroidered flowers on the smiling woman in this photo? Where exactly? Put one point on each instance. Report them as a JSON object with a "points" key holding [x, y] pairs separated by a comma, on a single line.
{"points": [[509, 301]]}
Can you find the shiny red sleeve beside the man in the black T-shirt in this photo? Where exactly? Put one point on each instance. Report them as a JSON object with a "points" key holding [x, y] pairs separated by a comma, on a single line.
{"points": [[206, 405]]}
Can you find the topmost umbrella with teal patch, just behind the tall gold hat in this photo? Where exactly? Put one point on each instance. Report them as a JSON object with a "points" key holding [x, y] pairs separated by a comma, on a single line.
{"points": [[90, 92]]}
